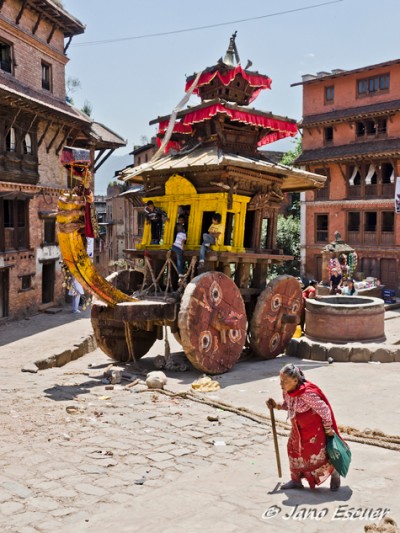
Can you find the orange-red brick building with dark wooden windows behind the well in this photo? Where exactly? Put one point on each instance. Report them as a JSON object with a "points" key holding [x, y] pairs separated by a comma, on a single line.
{"points": [[351, 134]]}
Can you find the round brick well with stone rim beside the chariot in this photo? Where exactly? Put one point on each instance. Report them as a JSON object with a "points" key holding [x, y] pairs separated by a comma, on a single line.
{"points": [[341, 319]]}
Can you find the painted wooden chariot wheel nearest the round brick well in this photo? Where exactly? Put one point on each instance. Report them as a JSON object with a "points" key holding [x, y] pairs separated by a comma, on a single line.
{"points": [[275, 317]]}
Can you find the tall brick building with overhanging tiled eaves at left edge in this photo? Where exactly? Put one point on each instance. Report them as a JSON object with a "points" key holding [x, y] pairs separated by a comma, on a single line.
{"points": [[36, 124]]}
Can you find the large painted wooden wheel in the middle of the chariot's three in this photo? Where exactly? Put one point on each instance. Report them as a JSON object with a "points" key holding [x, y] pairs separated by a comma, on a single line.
{"points": [[212, 322]]}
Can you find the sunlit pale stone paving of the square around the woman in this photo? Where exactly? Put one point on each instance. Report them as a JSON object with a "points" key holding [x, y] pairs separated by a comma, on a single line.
{"points": [[75, 457]]}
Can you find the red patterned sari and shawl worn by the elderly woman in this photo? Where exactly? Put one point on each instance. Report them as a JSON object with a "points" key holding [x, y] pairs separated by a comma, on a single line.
{"points": [[309, 411]]}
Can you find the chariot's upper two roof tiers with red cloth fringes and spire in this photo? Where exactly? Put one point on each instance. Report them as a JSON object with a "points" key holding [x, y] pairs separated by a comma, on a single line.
{"points": [[222, 118]]}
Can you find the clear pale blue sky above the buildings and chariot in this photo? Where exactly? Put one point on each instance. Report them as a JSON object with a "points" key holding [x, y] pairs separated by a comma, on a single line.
{"points": [[130, 82]]}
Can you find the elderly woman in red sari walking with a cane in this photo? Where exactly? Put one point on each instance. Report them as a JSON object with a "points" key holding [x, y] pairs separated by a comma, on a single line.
{"points": [[312, 420]]}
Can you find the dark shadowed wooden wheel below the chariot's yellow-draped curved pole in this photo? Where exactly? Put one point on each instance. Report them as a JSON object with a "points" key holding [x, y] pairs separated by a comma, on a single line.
{"points": [[110, 334]]}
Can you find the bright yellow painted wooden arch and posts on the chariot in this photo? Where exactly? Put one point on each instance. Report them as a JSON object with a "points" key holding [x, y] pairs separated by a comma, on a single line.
{"points": [[180, 192]]}
